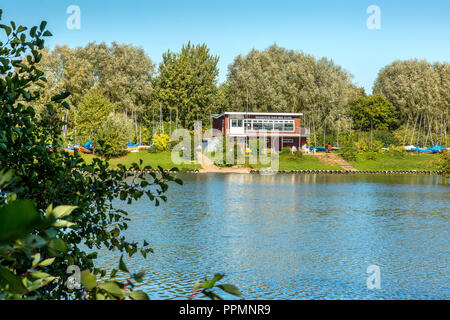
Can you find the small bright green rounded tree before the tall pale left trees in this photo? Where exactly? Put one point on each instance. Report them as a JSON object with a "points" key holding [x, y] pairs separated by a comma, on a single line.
{"points": [[92, 112]]}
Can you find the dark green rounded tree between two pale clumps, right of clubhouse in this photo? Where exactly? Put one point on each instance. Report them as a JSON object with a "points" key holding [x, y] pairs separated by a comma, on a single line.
{"points": [[373, 112]]}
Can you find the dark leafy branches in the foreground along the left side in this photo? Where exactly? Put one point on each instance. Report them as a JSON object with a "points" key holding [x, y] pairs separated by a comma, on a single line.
{"points": [[39, 242]]}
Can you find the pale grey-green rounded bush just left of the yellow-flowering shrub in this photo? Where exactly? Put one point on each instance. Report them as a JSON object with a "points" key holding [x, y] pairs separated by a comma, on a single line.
{"points": [[112, 136]]}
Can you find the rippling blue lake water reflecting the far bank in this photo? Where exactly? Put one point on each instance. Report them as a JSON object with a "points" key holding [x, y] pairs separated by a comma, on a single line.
{"points": [[297, 236]]}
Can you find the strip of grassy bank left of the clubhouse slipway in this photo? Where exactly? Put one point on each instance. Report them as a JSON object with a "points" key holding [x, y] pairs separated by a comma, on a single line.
{"points": [[154, 160]]}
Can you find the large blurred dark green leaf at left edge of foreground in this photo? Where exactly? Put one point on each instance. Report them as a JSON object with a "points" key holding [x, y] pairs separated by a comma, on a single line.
{"points": [[17, 219]]}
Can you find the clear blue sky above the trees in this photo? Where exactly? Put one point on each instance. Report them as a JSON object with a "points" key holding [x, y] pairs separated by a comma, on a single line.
{"points": [[332, 28]]}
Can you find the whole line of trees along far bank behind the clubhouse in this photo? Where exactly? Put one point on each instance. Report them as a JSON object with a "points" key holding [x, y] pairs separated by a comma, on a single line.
{"points": [[118, 86]]}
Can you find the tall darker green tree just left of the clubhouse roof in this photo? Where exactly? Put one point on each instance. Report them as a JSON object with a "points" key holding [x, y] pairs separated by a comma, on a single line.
{"points": [[186, 84]]}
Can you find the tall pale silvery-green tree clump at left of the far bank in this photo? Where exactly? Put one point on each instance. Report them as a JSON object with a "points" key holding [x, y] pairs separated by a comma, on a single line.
{"points": [[123, 74]]}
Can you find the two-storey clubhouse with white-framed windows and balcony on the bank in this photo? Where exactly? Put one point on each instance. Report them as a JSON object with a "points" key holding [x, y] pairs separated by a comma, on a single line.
{"points": [[244, 125]]}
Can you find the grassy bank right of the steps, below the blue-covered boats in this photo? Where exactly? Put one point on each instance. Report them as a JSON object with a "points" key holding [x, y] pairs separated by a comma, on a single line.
{"points": [[391, 162]]}
